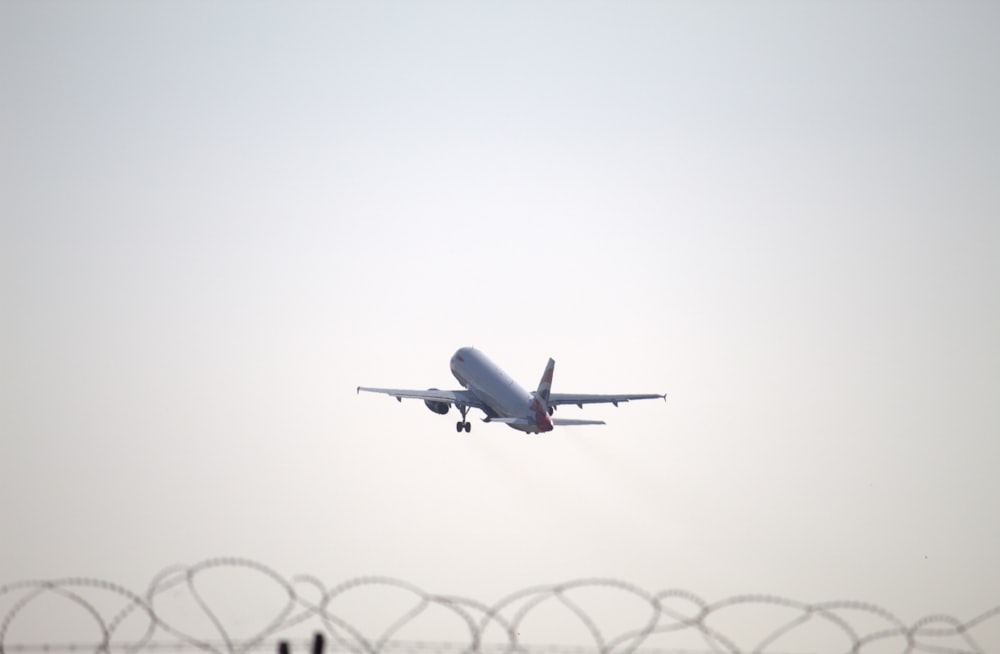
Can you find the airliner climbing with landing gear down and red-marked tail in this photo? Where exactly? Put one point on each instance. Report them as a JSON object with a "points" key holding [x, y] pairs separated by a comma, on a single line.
{"points": [[488, 388]]}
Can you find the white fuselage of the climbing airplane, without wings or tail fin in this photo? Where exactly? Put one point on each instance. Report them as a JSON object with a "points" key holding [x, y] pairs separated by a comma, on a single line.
{"points": [[498, 390]]}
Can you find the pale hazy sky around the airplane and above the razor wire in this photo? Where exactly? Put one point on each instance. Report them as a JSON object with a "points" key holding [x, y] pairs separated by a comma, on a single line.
{"points": [[217, 219]]}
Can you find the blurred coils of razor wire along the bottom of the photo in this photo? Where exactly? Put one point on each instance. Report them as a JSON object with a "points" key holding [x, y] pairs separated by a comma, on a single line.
{"points": [[177, 613]]}
